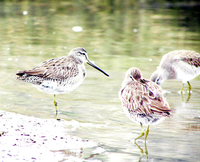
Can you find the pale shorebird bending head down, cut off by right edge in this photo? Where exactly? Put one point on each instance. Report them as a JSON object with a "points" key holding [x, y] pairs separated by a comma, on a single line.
{"points": [[181, 65]]}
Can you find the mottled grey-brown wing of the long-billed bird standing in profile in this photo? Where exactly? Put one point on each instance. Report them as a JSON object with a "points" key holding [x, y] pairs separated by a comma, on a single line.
{"points": [[58, 68]]}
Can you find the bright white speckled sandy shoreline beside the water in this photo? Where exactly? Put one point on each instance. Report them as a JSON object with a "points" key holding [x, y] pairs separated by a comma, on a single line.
{"points": [[34, 139]]}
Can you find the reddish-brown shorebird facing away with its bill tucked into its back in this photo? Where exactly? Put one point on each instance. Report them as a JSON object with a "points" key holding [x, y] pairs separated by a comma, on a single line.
{"points": [[142, 100]]}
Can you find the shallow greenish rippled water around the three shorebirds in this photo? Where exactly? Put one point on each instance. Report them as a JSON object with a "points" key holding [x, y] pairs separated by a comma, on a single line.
{"points": [[116, 39]]}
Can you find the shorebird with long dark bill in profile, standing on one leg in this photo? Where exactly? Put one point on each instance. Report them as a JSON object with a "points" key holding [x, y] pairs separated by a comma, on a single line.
{"points": [[59, 75]]}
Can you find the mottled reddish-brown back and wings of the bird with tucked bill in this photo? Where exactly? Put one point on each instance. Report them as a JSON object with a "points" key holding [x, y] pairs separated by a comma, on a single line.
{"points": [[140, 98]]}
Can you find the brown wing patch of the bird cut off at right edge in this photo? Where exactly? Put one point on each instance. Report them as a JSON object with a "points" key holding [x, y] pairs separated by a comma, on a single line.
{"points": [[191, 57]]}
